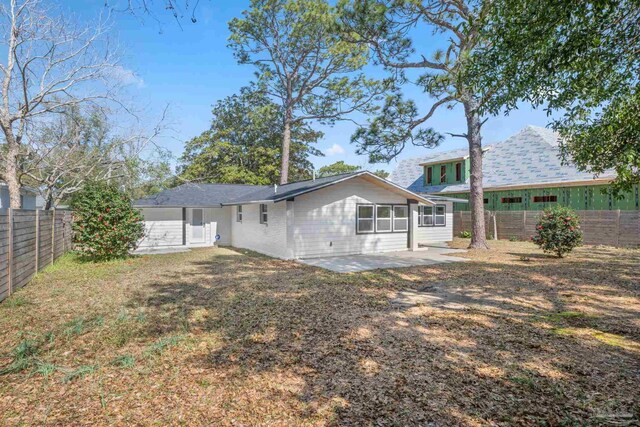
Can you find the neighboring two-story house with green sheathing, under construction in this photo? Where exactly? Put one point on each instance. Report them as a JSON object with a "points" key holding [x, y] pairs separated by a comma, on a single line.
{"points": [[523, 172]]}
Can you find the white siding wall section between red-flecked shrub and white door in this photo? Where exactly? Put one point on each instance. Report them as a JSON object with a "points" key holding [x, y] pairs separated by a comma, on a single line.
{"points": [[163, 227]]}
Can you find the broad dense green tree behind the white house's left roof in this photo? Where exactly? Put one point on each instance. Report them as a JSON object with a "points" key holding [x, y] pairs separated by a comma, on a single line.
{"points": [[243, 144]]}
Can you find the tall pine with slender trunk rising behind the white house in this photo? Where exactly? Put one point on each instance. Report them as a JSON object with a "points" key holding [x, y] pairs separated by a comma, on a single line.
{"points": [[304, 63]]}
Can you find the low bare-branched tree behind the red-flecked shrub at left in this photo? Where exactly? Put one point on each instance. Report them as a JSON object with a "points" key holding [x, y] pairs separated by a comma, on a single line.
{"points": [[74, 148]]}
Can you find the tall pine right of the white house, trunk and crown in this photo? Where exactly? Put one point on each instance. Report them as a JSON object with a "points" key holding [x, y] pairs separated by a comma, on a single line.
{"points": [[388, 27]]}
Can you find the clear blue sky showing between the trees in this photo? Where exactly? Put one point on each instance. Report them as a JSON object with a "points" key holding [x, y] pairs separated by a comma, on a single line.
{"points": [[189, 67]]}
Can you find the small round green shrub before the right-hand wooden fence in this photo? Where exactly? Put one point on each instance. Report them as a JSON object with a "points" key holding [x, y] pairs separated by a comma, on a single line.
{"points": [[558, 231]]}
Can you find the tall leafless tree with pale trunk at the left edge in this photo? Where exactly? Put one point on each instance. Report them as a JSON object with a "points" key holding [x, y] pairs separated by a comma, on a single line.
{"points": [[51, 64]]}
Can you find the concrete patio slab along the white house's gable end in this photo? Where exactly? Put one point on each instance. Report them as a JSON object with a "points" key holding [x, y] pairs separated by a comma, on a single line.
{"points": [[433, 254]]}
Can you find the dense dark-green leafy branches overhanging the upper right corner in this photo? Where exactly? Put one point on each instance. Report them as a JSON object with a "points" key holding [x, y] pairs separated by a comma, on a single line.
{"points": [[580, 60]]}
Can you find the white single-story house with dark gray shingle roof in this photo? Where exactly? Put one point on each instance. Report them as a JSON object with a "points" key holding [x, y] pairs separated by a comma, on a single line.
{"points": [[346, 214]]}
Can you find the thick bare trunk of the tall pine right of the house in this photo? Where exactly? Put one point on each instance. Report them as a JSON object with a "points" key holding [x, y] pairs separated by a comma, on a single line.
{"points": [[476, 192]]}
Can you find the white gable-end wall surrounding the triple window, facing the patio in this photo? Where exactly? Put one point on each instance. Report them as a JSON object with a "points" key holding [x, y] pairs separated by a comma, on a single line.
{"points": [[325, 221]]}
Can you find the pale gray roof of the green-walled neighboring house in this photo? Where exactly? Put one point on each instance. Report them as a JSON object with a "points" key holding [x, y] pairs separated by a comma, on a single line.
{"points": [[529, 157]]}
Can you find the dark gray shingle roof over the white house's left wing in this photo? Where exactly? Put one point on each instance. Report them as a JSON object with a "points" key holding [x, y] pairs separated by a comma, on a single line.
{"points": [[198, 195]]}
